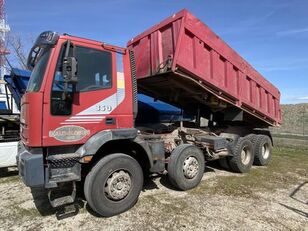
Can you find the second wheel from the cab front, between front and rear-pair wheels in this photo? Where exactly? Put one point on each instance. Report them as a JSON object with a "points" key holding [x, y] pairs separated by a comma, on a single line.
{"points": [[184, 178]]}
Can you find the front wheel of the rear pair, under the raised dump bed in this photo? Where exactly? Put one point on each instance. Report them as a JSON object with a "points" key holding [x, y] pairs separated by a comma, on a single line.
{"points": [[243, 156]]}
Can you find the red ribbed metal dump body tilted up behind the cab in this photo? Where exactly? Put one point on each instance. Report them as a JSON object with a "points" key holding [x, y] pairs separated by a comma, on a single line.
{"points": [[188, 47]]}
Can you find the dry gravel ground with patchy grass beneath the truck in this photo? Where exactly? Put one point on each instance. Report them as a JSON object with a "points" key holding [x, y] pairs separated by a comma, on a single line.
{"points": [[268, 198]]}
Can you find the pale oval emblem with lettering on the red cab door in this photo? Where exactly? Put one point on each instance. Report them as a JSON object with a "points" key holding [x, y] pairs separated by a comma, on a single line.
{"points": [[69, 133]]}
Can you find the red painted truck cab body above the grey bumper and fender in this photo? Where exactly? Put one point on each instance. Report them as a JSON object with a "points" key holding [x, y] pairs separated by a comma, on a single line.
{"points": [[57, 111]]}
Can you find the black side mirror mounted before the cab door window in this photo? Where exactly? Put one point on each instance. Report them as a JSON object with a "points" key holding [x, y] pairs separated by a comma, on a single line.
{"points": [[70, 69]]}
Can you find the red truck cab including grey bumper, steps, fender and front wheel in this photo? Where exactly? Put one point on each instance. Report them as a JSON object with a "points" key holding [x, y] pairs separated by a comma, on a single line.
{"points": [[79, 107]]}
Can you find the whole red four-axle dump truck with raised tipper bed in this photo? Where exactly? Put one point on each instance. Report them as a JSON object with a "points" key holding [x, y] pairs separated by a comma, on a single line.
{"points": [[80, 123]]}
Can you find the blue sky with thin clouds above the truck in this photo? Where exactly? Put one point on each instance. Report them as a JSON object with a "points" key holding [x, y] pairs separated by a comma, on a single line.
{"points": [[272, 35]]}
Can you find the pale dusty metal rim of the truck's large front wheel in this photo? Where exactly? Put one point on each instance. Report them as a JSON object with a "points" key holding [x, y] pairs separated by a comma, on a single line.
{"points": [[118, 185]]}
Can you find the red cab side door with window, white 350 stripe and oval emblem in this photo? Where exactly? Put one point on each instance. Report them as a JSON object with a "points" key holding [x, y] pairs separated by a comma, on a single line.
{"points": [[74, 112]]}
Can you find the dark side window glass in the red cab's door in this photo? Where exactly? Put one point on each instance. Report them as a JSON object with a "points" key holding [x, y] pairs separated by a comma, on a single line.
{"points": [[94, 73]]}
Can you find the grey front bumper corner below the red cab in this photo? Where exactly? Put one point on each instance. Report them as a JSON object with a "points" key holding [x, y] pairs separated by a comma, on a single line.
{"points": [[31, 167]]}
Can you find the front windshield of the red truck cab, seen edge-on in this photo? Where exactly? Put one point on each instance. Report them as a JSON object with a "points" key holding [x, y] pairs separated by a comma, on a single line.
{"points": [[38, 71]]}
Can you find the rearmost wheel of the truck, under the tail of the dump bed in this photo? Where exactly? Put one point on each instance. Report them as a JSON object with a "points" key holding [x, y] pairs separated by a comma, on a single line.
{"points": [[263, 150]]}
